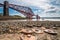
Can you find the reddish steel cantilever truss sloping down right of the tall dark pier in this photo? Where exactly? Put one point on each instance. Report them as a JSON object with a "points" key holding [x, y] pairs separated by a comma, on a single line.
{"points": [[24, 10]]}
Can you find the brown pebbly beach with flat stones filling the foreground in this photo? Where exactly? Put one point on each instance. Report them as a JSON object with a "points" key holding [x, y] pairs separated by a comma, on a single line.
{"points": [[28, 30]]}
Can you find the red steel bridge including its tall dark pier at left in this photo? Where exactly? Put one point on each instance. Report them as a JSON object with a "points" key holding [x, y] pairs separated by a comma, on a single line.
{"points": [[26, 11]]}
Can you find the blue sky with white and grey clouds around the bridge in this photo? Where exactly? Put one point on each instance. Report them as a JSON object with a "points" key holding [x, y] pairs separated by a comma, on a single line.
{"points": [[44, 8]]}
